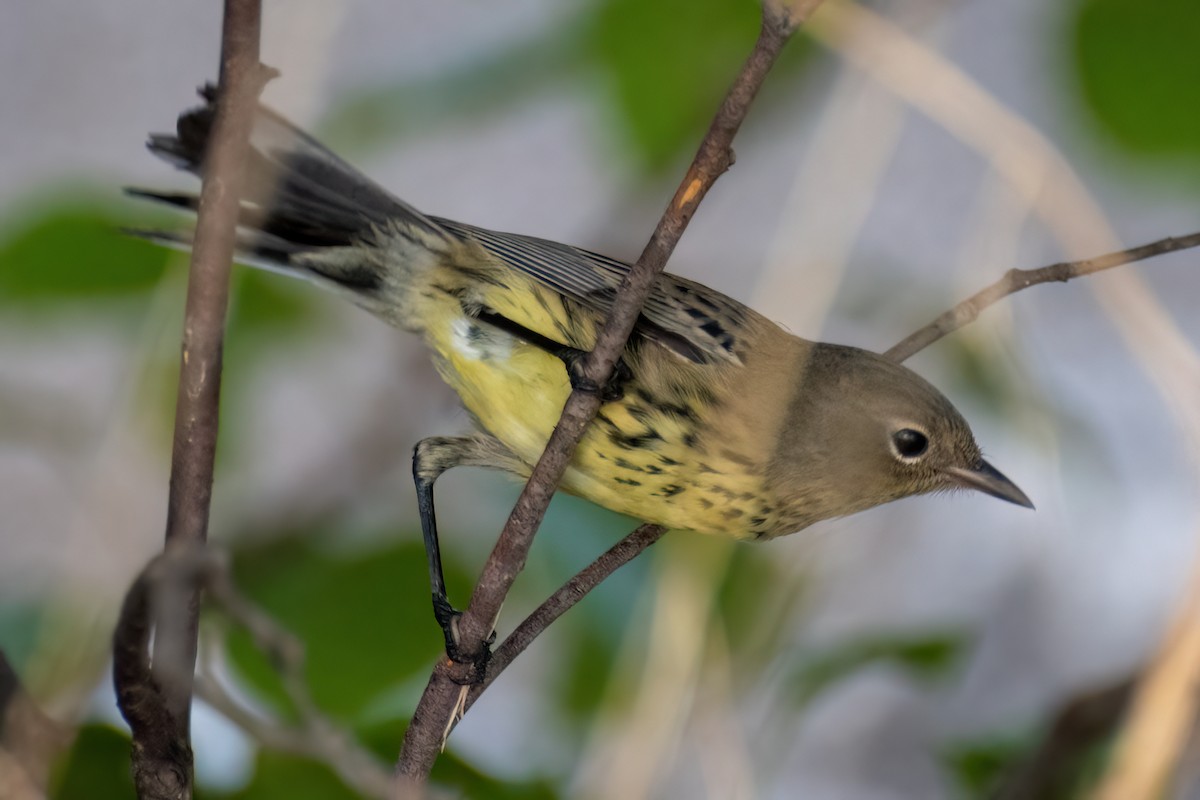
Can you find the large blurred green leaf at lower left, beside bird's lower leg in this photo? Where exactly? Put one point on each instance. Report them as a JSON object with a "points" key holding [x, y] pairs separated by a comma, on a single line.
{"points": [[364, 618]]}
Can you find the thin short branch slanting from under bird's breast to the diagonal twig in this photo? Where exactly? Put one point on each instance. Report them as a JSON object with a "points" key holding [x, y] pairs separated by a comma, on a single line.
{"points": [[567, 597]]}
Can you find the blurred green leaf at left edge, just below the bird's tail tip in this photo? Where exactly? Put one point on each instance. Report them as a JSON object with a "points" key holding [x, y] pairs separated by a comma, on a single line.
{"points": [[75, 251]]}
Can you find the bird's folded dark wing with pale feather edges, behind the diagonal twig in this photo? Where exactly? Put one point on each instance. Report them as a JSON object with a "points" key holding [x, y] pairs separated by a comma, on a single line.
{"points": [[698, 323]]}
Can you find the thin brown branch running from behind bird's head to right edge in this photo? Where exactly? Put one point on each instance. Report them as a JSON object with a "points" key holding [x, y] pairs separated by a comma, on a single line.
{"points": [[1017, 280]]}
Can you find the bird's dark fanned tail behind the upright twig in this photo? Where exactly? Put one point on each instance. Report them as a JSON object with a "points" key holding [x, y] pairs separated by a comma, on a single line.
{"points": [[307, 213]]}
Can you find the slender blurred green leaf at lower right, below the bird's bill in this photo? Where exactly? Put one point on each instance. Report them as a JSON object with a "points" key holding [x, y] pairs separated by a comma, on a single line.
{"points": [[925, 658]]}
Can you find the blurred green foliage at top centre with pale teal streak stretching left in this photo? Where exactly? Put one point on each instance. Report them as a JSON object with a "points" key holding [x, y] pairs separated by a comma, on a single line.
{"points": [[665, 67]]}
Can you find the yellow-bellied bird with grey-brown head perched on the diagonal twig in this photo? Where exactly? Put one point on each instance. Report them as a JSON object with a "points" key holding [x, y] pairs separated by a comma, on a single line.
{"points": [[718, 420]]}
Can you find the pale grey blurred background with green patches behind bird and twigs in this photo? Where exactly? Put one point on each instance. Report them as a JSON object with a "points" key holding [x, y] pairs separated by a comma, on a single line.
{"points": [[893, 165]]}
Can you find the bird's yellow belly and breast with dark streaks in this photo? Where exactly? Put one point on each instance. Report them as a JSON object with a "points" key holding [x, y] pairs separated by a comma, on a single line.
{"points": [[641, 458]]}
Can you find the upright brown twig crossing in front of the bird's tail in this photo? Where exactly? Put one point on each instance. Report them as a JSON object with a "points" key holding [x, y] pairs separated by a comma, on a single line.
{"points": [[200, 386]]}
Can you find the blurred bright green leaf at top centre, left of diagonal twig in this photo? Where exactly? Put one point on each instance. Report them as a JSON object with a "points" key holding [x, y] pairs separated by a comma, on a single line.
{"points": [[670, 63]]}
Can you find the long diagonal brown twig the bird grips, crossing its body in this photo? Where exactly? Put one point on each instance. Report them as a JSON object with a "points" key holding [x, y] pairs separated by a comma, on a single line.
{"points": [[445, 694]]}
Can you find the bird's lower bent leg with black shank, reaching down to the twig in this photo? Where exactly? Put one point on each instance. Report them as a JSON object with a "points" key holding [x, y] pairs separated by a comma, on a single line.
{"points": [[431, 458]]}
